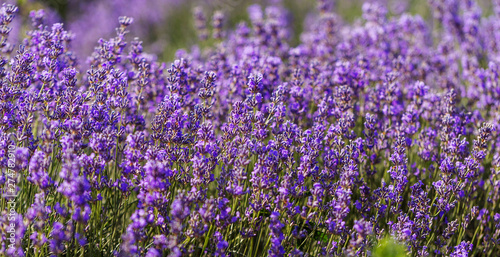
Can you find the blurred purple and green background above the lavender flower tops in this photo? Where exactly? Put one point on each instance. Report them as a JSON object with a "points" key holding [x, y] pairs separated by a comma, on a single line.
{"points": [[167, 25]]}
